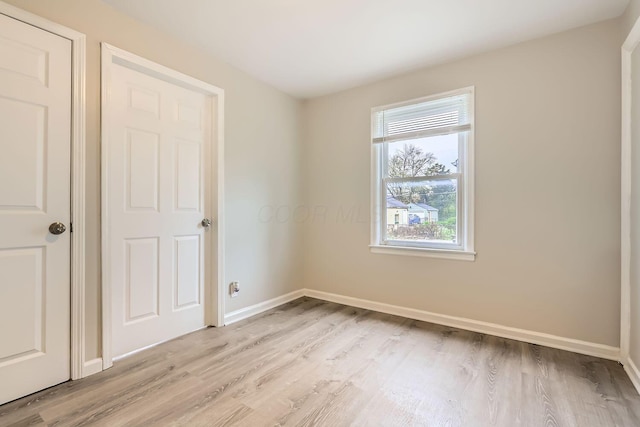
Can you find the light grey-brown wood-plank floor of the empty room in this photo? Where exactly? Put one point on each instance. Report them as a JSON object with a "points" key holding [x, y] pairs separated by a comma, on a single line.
{"points": [[311, 362]]}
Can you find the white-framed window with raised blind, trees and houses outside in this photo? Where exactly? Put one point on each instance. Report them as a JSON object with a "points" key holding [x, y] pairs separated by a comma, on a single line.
{"points": [[422, 177]]}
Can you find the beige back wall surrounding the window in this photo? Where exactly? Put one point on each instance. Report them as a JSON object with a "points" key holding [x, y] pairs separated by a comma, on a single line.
{"points": [[547, 138]]}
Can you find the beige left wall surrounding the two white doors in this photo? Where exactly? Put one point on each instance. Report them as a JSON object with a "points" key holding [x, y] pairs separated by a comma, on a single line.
{"points": [[261, 160]]}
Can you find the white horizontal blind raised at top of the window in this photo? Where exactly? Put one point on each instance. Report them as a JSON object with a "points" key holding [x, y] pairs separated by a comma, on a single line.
{"points": [[438, 117]]}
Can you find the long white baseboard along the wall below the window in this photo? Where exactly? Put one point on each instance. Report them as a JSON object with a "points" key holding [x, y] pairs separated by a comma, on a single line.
{"points": [[562, 343]]}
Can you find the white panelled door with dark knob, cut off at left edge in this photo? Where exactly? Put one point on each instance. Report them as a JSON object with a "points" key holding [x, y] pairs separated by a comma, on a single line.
{"points": [[35, 142]]}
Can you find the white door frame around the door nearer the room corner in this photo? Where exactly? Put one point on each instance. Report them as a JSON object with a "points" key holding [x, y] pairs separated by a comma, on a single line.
{"points": [[214, 292]]}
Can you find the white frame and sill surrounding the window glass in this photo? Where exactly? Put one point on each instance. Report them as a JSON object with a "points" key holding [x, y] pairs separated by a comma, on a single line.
{"points": [[464, 249]]}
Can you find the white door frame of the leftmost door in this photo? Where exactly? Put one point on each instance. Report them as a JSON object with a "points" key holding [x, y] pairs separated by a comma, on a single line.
{"points": [[79, 366]]}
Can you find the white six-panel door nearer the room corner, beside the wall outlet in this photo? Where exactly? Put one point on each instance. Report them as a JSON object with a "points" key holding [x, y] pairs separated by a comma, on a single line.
{"points": [[159, 140]]}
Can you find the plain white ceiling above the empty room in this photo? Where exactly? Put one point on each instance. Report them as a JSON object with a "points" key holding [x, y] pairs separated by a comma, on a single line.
{"points": [[313, 47]]}
